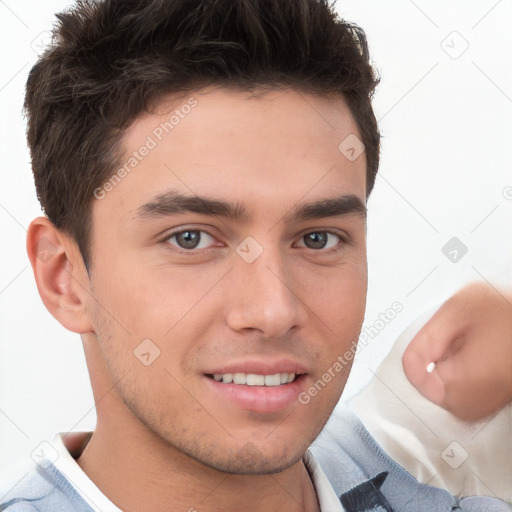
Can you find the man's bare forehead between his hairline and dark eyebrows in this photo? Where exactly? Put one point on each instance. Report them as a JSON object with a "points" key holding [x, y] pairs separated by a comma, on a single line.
{"points": [[224, 143]]}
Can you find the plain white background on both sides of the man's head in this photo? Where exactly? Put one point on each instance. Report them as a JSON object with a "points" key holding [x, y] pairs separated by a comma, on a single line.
{"points": [[446, 172]]}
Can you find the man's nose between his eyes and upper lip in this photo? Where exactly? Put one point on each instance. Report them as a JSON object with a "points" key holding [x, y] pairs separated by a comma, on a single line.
{"points": [[265, 296]]}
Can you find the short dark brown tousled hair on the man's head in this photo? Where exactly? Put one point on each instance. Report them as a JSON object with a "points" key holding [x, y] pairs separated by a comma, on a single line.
{"points": [[109, 60]]}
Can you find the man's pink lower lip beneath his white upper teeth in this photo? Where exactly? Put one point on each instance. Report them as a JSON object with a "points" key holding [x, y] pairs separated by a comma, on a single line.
{"points": [[263, 399]]}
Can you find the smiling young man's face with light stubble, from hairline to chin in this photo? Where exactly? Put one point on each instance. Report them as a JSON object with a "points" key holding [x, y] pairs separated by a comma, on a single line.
{"points": [[256, 292]]}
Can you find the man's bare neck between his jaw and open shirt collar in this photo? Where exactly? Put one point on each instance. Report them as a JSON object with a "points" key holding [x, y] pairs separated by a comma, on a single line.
{"points": [[139, 471]]}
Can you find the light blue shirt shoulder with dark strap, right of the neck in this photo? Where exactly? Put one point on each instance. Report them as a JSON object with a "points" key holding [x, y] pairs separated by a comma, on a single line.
{"points": [[359, 470]]}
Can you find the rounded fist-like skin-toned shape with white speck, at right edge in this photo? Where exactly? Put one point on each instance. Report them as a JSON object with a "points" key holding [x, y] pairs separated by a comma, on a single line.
{"points": [[470, 341]]}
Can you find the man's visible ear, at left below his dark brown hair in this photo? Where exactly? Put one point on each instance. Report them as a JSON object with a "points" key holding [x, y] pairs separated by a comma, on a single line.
{"points": [[60, 274]]}
